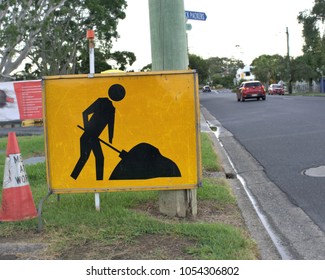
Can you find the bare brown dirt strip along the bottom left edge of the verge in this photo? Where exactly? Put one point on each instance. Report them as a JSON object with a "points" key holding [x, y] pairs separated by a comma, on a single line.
{"points": [[145, 247]]}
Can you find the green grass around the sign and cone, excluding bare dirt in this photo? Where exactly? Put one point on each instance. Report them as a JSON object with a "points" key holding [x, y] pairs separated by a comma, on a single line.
{"points": [[73, 221]]}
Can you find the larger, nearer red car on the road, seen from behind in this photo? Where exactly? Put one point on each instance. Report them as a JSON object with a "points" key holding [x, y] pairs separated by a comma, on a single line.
{"points": [[251, 90]]}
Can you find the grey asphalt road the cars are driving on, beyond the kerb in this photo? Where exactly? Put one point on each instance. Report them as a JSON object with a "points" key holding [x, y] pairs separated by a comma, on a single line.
{"points": [[285, 135]]}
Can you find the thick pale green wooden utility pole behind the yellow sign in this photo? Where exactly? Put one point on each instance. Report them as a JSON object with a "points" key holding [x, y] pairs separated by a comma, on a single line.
{"points": [[169, 52]]}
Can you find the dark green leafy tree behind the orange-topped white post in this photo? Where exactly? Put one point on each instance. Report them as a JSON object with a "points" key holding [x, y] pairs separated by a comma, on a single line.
{"points": [[64, 50]]}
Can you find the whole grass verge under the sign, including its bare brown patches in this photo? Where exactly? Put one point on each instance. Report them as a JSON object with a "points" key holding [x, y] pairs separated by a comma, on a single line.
{"points": [[129, 225]]}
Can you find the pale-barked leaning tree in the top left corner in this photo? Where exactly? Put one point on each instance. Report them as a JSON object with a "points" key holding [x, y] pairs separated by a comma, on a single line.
{"points": [[20, 24]]}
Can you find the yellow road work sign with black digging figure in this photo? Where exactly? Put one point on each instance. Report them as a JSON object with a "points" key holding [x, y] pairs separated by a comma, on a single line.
{"points": [[123, 131]]}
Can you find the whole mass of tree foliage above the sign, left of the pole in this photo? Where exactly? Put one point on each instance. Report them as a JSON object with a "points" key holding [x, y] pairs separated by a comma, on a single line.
{"points": [[52, 35]]}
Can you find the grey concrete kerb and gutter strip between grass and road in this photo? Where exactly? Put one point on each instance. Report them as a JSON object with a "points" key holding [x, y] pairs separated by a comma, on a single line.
{"points": [[293, 234]]}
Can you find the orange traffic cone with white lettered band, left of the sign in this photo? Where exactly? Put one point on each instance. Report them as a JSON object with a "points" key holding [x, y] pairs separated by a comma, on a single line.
{"points": [[17, 199]]}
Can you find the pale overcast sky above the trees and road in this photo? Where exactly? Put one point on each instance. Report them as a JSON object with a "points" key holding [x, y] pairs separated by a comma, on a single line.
{"points": [[233, 28]]}
